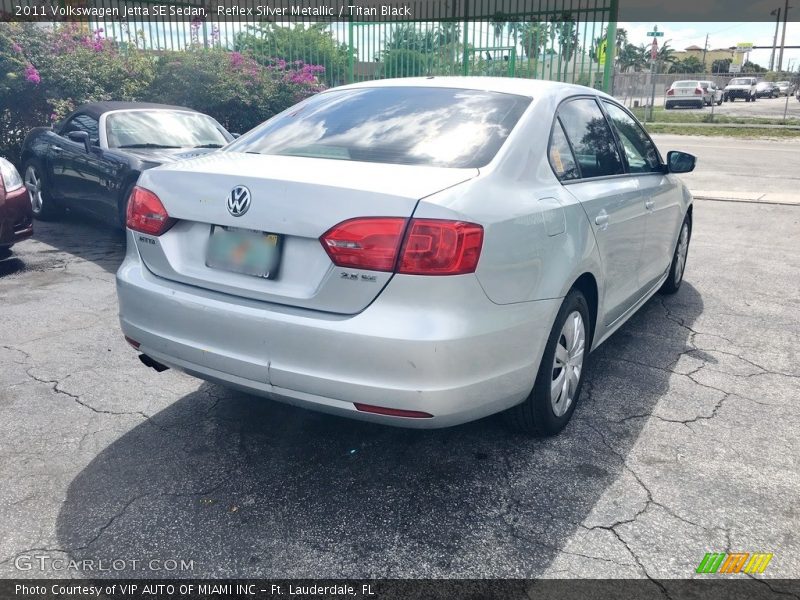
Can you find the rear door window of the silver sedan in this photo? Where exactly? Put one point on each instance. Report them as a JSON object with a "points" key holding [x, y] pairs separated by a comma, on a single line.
{"points": [[590, 136]]}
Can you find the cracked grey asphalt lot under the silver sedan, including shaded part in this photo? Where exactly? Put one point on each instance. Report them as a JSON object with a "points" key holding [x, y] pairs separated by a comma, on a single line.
{"points": [[685, 441]]}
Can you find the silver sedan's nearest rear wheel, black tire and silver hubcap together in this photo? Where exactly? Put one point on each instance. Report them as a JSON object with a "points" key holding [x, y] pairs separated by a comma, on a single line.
{"points": [[538, 414]]}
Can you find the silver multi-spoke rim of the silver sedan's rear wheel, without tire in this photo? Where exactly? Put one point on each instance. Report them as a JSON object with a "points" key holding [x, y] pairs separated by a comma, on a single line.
{"points": [[568, 363]]}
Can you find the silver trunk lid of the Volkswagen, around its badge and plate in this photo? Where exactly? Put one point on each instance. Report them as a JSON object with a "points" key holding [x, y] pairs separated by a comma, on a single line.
{"points": [[297, 199]]}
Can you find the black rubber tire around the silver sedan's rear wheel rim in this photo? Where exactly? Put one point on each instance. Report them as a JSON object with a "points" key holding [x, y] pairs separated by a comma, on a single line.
{"points": [[536, 415]]}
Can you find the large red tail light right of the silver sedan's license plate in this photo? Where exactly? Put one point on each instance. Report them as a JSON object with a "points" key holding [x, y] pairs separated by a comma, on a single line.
{"points": [[415, 247]]}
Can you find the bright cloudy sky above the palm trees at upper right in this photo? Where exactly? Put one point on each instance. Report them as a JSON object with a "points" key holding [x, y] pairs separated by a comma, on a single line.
{"points": [[721, 35]]}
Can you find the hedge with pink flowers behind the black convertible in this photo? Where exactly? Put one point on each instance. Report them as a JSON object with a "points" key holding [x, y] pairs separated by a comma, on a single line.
{"points": [[47, 73]]}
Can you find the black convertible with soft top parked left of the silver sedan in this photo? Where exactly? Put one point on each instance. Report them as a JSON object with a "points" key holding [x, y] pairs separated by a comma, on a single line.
{"points": [[92, 159]]}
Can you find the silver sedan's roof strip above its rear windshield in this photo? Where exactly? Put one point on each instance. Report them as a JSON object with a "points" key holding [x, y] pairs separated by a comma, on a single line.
{"points": [[534, 88]]}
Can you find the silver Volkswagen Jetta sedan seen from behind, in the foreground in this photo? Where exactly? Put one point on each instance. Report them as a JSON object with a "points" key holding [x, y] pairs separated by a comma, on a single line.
{"points": [[415, 252]]}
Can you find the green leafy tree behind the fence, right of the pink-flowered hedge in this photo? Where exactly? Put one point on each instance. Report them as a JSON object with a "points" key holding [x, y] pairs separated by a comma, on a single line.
{"points": [[312, 44]]}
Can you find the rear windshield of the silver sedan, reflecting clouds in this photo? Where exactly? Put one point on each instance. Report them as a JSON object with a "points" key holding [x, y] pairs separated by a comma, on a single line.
{"points": [[398, 125]]}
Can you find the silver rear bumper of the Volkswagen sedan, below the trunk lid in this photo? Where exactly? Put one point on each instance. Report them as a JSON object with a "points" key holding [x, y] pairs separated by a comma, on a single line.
{"points": [[435, 345]]}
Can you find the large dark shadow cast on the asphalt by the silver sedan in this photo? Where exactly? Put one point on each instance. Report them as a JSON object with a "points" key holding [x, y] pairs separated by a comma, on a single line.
{"points": [[245, 487]]}
